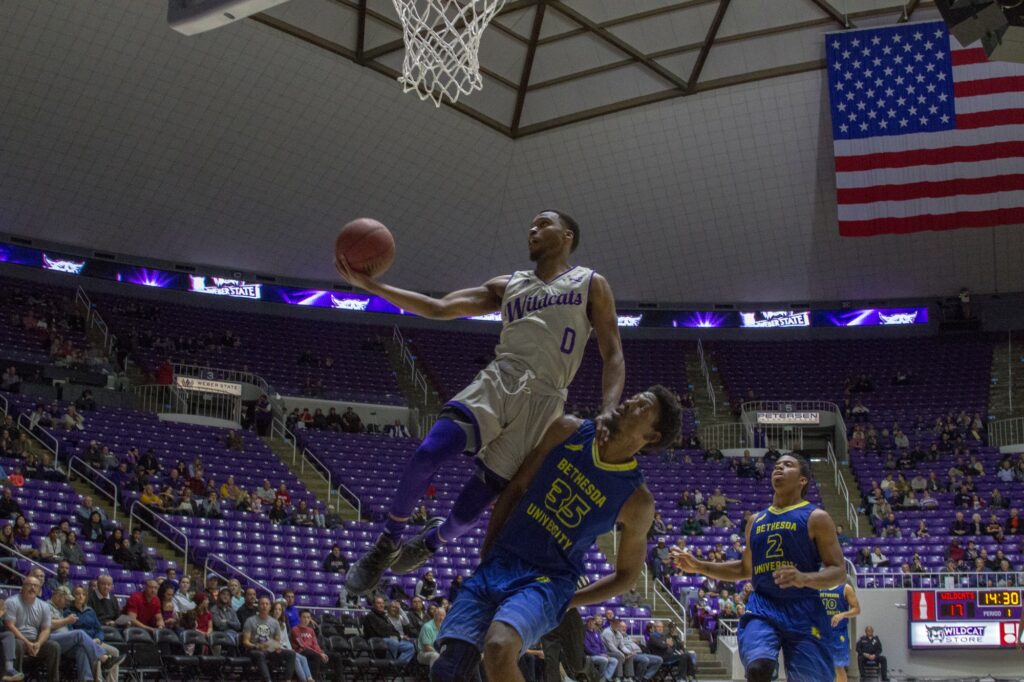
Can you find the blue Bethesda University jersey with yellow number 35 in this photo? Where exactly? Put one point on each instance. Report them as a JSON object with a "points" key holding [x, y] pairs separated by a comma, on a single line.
{"points": [[573, 499]]}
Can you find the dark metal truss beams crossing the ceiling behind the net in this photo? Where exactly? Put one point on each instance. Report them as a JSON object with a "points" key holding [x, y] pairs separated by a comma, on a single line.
{"points": [[677, 87]]}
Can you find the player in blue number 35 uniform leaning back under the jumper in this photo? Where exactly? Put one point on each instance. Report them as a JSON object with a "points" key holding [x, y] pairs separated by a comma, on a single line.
{"points": [[569, 491]]}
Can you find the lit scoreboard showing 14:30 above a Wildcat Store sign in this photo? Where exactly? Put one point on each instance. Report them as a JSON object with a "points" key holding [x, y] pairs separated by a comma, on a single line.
{"points": [[964, 619]]}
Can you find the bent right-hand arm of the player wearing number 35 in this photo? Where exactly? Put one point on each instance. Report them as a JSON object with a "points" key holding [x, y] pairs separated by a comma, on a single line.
{"points": [[636, 517]]}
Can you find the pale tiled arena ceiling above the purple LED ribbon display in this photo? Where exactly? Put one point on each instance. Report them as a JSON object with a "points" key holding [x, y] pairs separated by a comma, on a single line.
{"points": [[690, 138]]}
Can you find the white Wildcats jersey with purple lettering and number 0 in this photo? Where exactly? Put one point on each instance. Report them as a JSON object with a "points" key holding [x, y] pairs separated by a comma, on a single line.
{"points": [[545, 324]]}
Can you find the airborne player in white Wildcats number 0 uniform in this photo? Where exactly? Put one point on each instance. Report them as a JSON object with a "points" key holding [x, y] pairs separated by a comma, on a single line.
{"points": [[547, 317]]}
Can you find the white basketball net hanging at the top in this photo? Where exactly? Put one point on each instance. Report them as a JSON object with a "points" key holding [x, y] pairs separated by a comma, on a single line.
{"points": [[443, 46]]}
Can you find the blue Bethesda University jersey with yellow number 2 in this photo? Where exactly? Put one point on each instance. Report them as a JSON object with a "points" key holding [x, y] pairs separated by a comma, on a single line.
{"points": [[781, 538]]}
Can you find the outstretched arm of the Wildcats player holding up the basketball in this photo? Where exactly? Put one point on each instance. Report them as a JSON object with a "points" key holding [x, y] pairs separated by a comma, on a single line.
{"points": [[463, 304]]}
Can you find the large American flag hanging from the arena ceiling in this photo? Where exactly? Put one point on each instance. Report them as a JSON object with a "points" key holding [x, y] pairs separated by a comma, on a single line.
{"points": [[928, 136]]}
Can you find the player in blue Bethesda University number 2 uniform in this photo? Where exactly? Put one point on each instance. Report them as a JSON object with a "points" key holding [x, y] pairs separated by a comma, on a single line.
{"points": [[792, 552]]}
